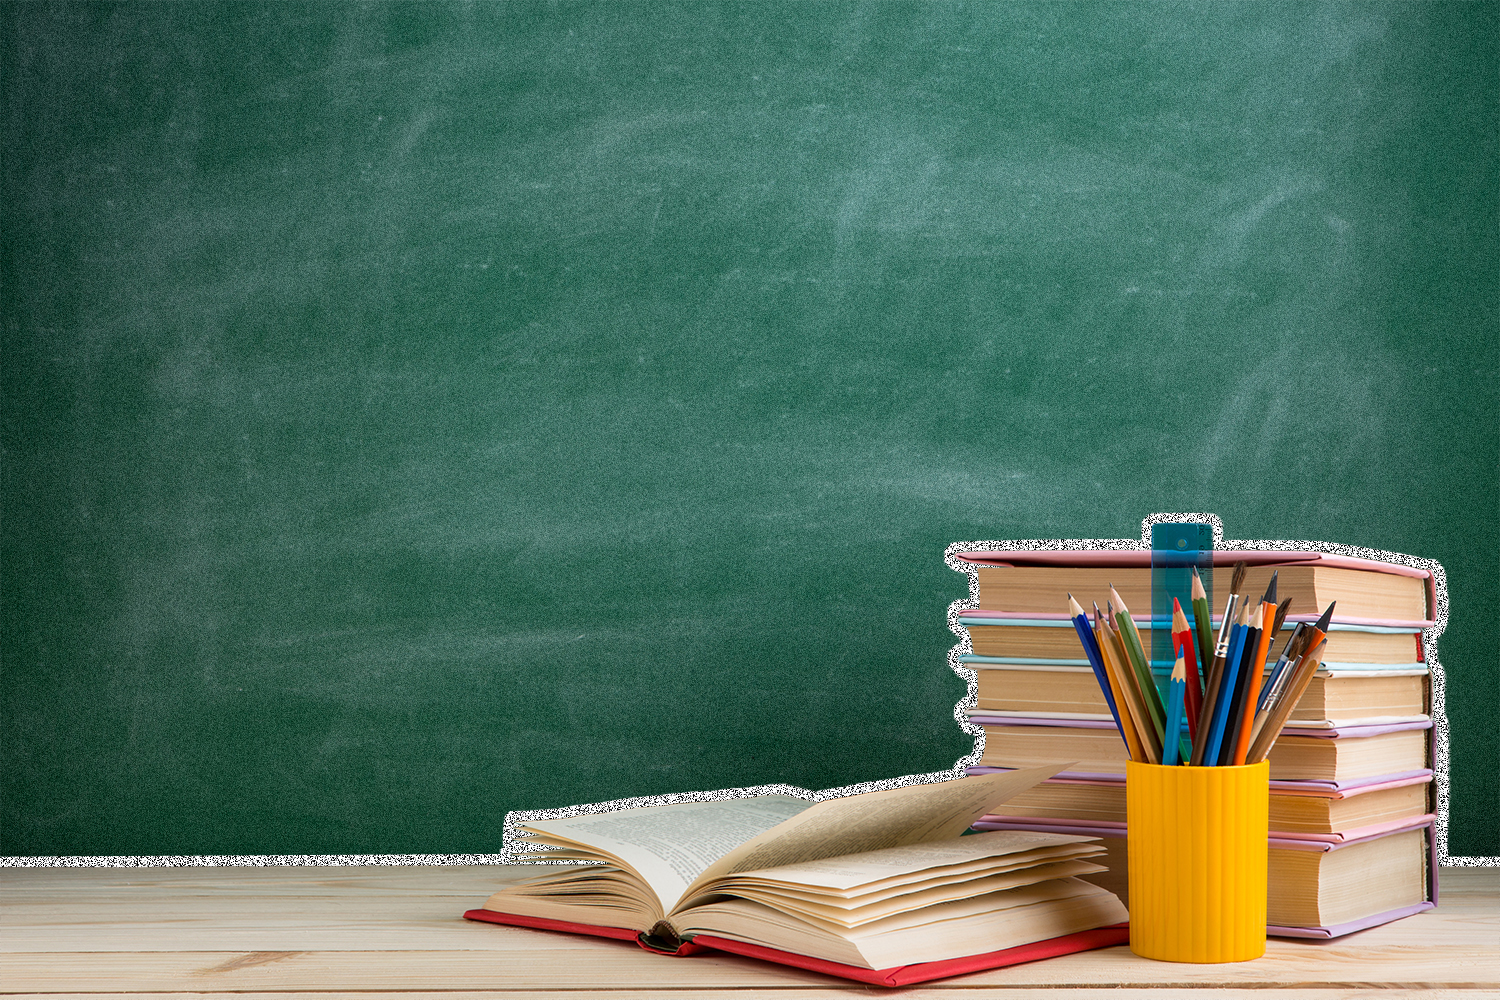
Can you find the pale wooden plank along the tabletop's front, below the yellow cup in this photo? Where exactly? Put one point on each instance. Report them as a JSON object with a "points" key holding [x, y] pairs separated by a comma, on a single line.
{"points": [[605, 968]]}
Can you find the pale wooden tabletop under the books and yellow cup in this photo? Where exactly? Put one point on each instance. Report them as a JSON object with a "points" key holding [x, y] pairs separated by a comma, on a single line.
{"points": [[397, 935]]}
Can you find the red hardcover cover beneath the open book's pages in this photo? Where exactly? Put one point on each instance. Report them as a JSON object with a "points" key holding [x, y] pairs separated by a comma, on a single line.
{"points": [[898, 977]]}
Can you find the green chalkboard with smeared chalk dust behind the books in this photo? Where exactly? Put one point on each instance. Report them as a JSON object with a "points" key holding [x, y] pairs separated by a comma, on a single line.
{"points": [[415, 413]]}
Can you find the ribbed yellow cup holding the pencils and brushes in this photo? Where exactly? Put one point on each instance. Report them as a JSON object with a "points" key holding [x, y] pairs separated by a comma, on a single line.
{"points": [[1198, 861]]}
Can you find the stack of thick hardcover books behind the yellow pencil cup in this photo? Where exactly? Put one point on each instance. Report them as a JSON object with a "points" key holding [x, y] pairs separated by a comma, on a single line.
{"points": [[1351, 776]]}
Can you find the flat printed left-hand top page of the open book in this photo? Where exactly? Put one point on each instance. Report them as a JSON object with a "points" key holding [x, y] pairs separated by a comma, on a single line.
{"points": [[670, 846]]}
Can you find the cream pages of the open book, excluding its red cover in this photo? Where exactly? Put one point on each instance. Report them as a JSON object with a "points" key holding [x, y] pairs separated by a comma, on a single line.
{"points": [[872, 881]]}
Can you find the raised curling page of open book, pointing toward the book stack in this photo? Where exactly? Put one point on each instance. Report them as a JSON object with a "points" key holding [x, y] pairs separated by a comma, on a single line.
{"points": [[859, 824]]}
